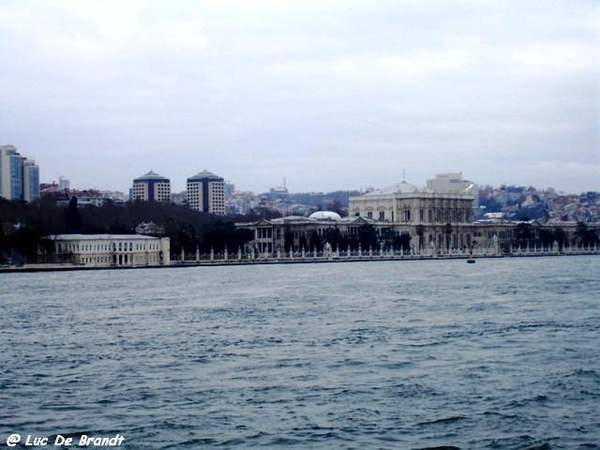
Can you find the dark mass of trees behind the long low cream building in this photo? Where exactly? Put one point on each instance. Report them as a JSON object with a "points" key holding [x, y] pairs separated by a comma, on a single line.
{"points": [[23, 226]]}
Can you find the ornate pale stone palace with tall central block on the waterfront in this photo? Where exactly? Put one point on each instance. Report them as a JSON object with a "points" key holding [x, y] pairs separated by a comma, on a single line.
{"points": [[419, 220]]}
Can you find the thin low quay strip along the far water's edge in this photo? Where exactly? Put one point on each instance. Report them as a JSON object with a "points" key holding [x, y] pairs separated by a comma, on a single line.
{"points": [[29, 268]]}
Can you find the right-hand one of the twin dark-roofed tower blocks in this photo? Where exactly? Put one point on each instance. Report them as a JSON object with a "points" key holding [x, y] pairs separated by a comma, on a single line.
{"points": [[206, 192]]}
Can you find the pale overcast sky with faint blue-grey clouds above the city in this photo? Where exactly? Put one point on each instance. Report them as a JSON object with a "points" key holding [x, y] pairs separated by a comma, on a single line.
{"points": [[328, 94]]}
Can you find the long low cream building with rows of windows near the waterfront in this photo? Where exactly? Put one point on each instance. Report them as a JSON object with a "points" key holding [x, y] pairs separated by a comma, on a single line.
{"points": [[113, 250]]}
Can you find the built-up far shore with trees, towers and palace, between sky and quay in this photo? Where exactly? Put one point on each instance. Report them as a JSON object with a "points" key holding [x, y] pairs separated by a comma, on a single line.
{"points": [[447, 214]]}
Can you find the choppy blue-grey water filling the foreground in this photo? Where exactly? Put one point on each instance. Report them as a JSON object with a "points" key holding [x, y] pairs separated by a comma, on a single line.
{"points": [[503, 354]]}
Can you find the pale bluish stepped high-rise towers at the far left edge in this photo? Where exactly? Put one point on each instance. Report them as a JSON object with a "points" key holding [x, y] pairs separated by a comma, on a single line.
{"points": [[19, 176]]}
